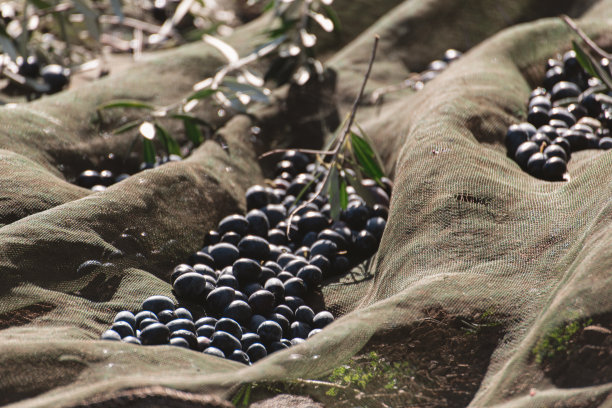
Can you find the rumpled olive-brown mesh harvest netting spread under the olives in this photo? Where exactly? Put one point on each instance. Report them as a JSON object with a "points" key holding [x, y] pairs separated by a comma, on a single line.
{"points": [[468, 230]]}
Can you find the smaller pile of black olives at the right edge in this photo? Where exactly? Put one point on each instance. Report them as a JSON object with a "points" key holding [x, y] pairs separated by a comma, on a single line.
{"points": [[567, 115]]}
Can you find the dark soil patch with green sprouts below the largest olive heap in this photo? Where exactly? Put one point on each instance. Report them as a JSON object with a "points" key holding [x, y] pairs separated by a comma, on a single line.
{"points": [[439, 361]]}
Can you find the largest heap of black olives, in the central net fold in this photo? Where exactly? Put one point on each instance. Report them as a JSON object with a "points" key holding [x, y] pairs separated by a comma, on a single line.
{"points": [[256, 272]]}
